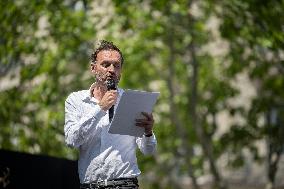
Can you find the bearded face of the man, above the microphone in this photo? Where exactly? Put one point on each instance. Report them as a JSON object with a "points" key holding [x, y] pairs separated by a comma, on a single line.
{"points": [[107, 66]]}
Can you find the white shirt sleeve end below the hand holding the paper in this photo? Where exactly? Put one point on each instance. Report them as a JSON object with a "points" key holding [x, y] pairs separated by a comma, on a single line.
{"points": [[147, 145]]}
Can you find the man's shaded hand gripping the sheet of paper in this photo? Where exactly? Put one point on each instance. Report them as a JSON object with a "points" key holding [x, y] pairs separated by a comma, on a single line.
{"points": [[147, 123]]}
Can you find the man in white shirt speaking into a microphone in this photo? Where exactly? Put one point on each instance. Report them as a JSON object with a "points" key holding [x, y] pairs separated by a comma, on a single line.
{"points": [[105, 160]]}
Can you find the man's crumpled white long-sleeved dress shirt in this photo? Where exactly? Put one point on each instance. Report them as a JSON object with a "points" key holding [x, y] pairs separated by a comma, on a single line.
{"points": [[102, 155]]}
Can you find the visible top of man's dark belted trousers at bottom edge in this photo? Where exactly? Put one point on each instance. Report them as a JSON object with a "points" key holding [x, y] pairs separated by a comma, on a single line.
{"points": [[120, 183]]}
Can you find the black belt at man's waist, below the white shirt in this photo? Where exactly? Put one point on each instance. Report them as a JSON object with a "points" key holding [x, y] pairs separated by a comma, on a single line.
{"points": [[110, 183]]}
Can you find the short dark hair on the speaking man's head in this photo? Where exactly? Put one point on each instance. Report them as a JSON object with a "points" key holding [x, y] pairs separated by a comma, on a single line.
{"points": [[105, 45]]}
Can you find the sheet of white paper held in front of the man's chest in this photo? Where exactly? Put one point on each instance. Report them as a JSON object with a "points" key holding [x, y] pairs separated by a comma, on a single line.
{"points": [[129, 108]]}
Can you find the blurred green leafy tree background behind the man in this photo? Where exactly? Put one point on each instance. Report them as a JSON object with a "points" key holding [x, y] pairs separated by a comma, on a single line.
{"points": [[219, 66]]}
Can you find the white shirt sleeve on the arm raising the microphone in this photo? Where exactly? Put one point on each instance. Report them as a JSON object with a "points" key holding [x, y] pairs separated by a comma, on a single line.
{"points": [[79, 126]]}
